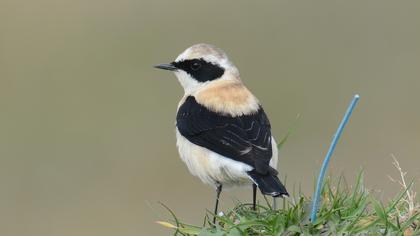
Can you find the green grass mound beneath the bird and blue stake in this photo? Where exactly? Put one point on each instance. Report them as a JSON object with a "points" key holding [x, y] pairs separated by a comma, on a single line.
{"points": [[343, 211]]}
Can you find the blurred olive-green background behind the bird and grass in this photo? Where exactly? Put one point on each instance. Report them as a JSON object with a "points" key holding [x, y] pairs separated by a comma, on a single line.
{"points": [[87, 143]]}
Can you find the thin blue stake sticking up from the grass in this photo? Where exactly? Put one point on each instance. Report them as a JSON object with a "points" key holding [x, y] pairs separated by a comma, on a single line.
{"points": [[324, 166]]}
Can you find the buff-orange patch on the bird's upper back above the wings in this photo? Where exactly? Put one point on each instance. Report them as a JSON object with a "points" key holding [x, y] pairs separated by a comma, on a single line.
{"points": [[227, 97]]}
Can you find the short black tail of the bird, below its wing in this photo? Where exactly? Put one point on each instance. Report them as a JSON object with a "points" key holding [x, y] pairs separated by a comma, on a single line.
{"points": [[268, 184]]}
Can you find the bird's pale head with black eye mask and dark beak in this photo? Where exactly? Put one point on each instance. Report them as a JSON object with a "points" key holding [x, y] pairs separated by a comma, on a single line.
{"points": [[200, 65]]}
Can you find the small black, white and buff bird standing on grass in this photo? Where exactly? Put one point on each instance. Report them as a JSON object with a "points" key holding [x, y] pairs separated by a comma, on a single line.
{"points": [[222, 132]]}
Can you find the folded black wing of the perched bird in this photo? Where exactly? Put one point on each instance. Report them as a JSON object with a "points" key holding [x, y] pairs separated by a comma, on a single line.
{"points": [[245, 138]]}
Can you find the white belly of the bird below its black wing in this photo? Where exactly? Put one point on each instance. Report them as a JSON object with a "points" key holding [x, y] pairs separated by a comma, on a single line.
{"points": [[213, 168]]}
